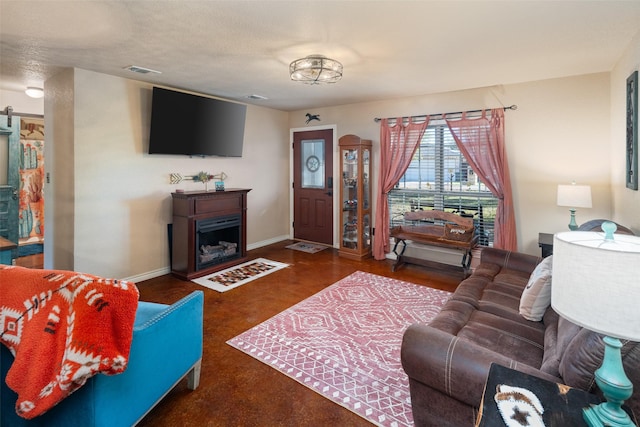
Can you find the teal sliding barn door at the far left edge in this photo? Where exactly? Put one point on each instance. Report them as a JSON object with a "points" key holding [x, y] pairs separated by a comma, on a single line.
{"points": [[9, 178]]}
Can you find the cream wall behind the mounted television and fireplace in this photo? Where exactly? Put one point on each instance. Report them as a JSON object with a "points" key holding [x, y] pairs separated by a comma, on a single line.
{"points": [[122, 197]]}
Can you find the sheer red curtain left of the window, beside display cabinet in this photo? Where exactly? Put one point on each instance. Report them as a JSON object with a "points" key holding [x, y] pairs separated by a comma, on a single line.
{"points": [[398, 143]]}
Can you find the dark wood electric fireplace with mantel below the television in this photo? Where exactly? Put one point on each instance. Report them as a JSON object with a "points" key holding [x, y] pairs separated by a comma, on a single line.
{"points": [[209, 231]]}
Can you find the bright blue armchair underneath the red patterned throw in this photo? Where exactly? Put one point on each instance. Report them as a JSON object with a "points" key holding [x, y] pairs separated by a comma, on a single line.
{"points": [[166, 347]]}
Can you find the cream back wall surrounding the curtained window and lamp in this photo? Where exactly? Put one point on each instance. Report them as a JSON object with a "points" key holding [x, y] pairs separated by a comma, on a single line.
{"points": [[559, 133]]}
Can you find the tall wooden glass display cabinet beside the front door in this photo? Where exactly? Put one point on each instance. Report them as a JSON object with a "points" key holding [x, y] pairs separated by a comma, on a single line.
{"points": [[355, 197]]}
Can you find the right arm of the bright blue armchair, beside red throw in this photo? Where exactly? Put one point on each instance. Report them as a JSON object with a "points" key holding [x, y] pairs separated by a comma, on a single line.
{"points": [[166, 346]]}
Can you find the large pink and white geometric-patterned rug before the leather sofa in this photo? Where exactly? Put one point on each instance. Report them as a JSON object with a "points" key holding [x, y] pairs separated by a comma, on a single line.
{"points": [[344, 343]]}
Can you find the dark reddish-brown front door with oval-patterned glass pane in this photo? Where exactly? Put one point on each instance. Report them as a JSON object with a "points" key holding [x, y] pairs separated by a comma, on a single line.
{"points": [[313, 186]]}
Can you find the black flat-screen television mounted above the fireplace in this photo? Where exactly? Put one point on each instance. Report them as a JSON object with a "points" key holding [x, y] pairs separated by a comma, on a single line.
{"points": [[182, 123]]}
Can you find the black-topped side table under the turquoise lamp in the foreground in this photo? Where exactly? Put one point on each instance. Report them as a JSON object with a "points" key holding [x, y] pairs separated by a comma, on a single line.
{"points": [[562, 404]]}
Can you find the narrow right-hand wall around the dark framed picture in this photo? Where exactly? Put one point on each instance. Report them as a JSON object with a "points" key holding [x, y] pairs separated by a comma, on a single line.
{"points": [[626, 202]]}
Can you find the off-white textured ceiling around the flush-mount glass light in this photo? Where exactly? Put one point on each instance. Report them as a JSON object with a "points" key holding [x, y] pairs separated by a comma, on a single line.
{"points": [[389, 49]]}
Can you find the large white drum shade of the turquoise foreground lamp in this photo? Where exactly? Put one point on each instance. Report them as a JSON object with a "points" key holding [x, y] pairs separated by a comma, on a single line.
{"points": [[596, 282]]}
